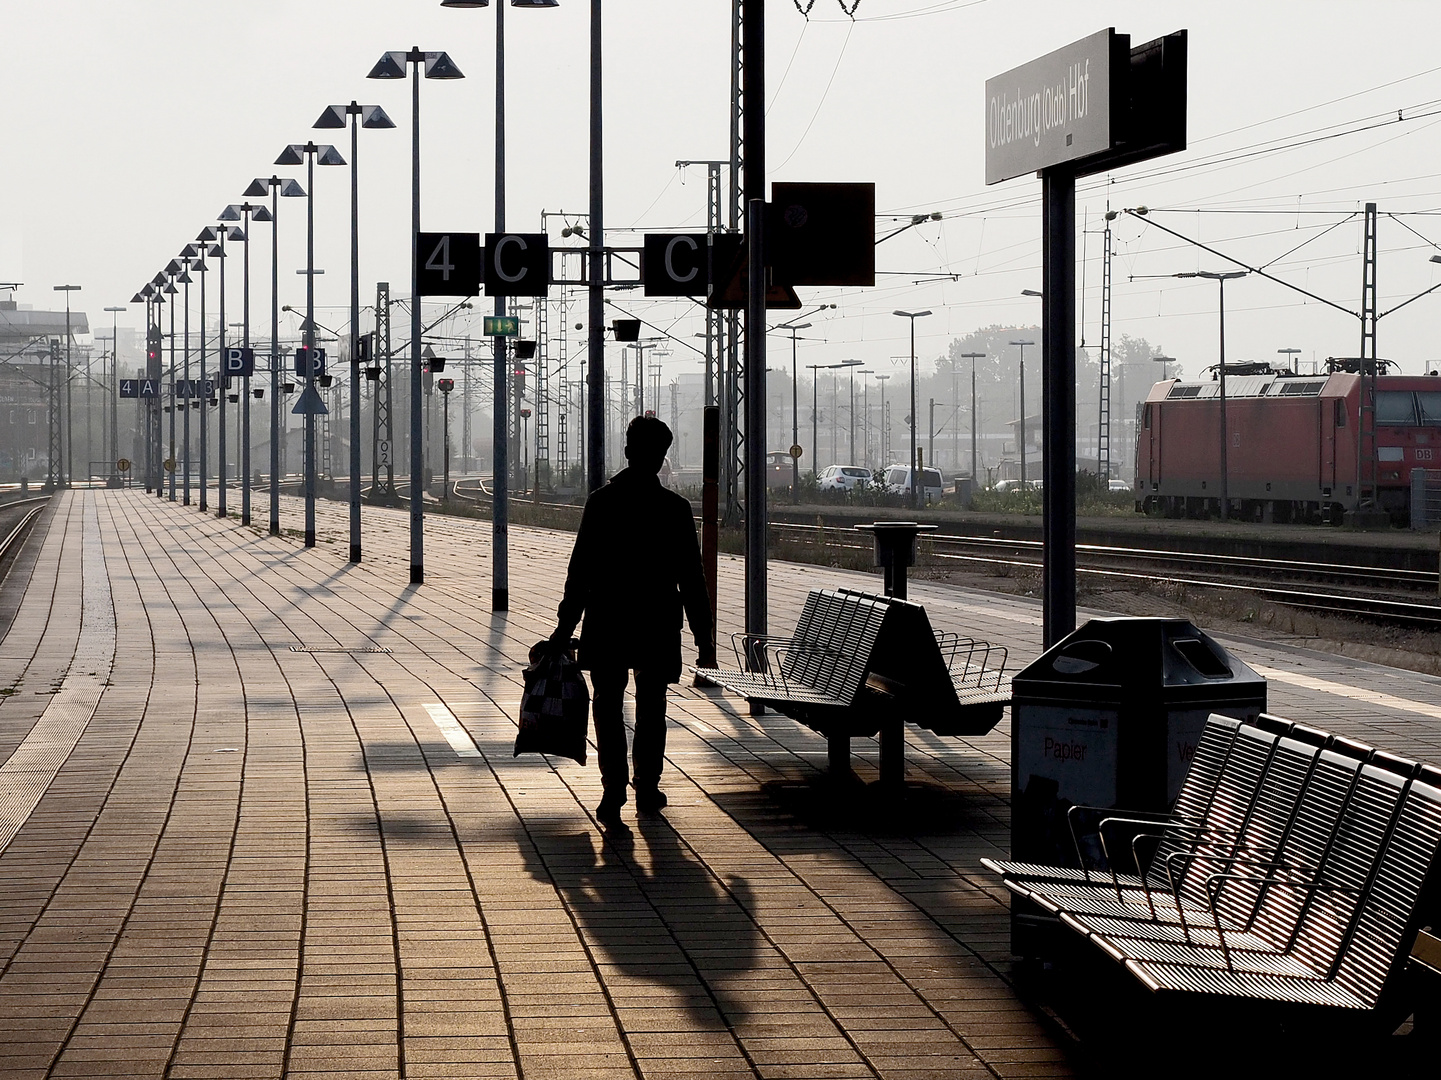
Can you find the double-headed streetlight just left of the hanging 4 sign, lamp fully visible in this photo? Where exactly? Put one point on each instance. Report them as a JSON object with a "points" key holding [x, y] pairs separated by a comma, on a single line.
{"points": [[434, 66]]}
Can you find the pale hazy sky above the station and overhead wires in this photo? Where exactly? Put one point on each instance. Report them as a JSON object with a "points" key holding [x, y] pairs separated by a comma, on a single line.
{"points": [[133, 123]]}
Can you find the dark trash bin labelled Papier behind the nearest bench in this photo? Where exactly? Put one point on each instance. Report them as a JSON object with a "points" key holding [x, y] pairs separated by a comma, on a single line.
{"points": [[1112, 717]]}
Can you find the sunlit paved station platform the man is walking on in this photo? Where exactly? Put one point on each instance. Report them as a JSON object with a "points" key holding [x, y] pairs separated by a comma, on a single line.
{"points": [[260, 817]]}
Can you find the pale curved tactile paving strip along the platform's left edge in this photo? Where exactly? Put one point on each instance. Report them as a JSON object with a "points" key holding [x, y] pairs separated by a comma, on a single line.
{"points": [[28, 774]]}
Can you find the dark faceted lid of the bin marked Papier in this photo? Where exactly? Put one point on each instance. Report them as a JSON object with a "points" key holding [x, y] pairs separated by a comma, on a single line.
{"points": [[1125, 657]]}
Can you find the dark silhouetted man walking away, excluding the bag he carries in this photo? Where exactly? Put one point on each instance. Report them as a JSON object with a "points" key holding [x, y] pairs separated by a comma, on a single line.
{"points": [[635, 569]]}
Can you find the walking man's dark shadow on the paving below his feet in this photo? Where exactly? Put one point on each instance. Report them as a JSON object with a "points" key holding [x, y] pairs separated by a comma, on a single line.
{"points": [[655, 913]]}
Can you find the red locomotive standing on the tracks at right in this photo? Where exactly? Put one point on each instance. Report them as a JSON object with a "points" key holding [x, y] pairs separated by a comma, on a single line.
{"points": [[1292, 445]]}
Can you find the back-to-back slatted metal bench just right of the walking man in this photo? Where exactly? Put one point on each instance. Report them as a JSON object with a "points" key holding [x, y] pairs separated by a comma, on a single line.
{"points": [[862, 665]]}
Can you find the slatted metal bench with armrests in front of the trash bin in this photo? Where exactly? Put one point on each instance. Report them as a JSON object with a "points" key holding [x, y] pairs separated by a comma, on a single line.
{"points": [[1298, 867]]}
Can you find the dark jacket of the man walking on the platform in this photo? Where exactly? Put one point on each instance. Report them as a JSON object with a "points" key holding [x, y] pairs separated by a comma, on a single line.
{"points": [[636, 566]]}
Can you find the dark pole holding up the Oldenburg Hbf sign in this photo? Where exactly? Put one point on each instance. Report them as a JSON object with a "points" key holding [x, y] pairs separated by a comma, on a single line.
{"points": [[1058, 394]]}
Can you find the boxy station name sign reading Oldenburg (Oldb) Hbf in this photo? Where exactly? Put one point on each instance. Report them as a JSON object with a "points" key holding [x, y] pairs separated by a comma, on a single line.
{"points": [[1093, 106]]}
